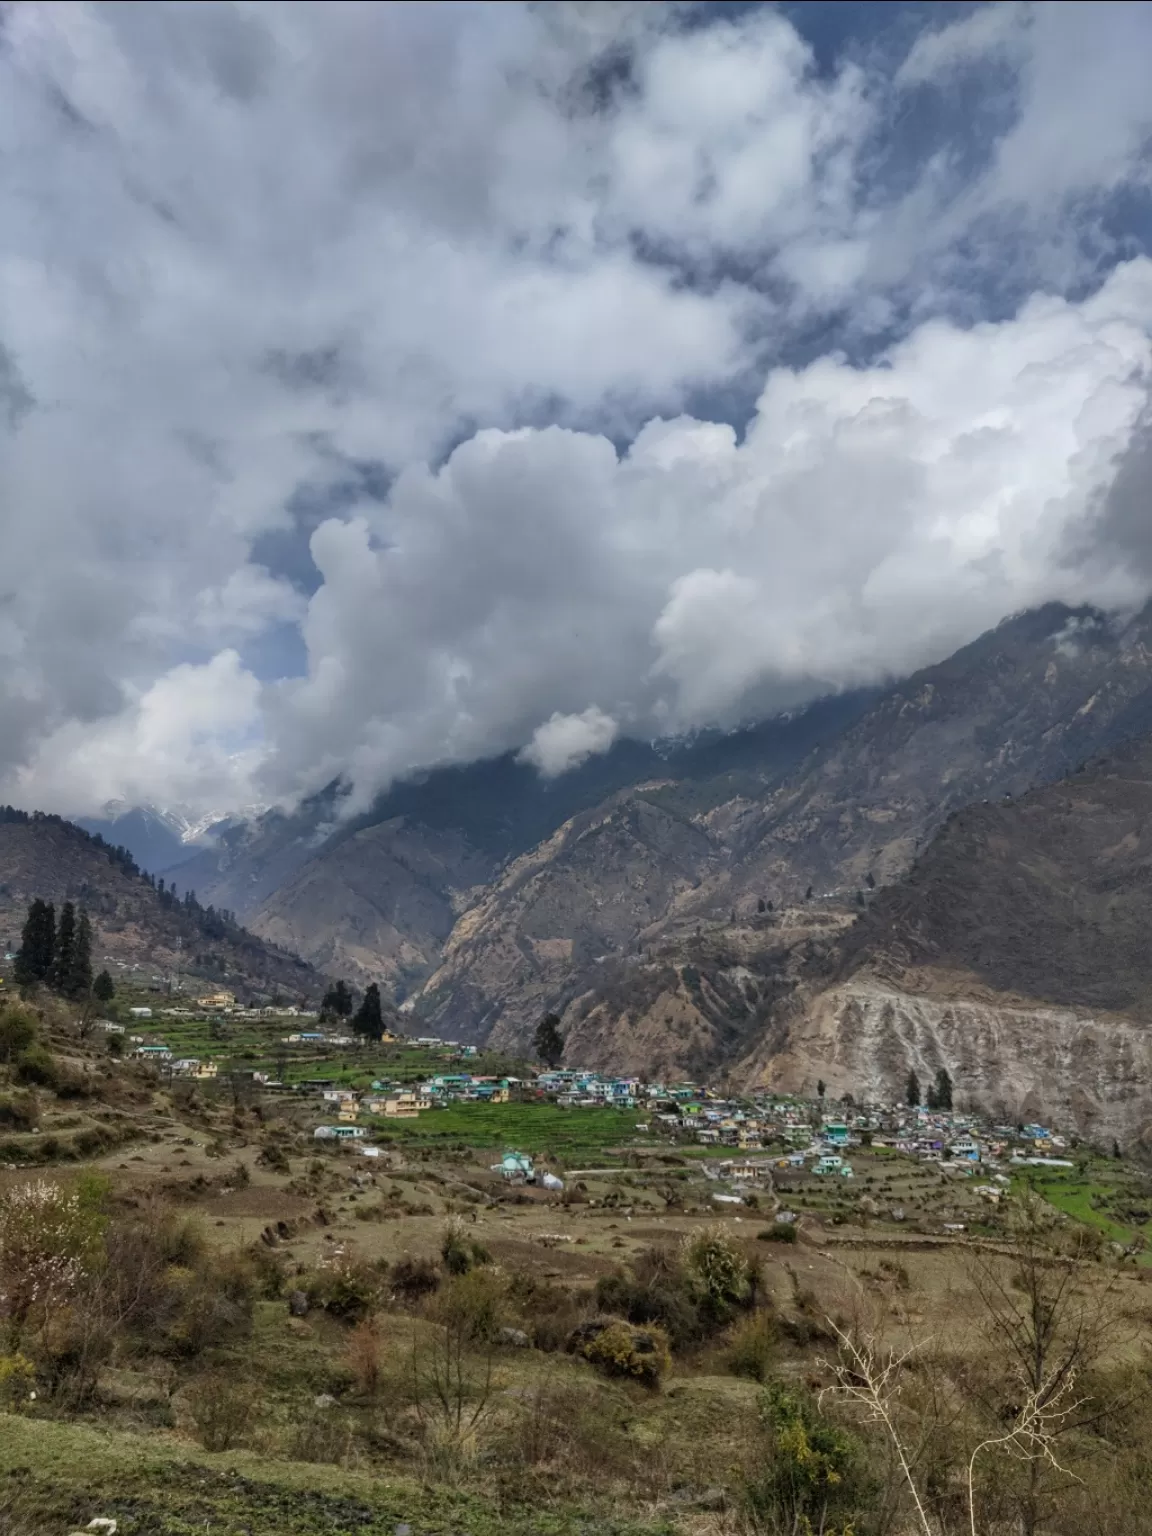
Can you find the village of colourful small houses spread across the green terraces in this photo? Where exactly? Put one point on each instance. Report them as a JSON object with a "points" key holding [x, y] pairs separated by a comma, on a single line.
{"points": [[767, 1136]]}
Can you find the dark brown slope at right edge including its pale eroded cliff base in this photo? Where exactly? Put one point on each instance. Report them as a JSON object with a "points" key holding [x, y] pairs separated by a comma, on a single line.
{"points": [[1015, 953]]}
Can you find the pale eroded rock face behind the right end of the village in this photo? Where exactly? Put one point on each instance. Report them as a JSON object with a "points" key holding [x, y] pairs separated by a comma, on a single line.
{"points": [[1088, 1071]]}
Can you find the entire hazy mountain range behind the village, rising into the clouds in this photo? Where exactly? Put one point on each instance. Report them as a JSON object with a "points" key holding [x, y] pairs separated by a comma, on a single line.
{"points": [[850, 892]]}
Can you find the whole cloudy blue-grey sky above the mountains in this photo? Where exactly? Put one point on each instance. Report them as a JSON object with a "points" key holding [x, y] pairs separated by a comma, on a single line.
{"points": [[386, 386]]}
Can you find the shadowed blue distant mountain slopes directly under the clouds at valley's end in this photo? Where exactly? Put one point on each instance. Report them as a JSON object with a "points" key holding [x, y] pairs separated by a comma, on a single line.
{"points": [[377, 898]]}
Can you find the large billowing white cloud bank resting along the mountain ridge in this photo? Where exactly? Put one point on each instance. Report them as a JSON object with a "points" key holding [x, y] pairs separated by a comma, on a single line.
{"points": [[872, 518]]}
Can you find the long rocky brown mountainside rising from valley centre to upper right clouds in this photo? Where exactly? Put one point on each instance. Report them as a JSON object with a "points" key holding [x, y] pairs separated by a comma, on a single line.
{"points": [[1021, 706]]}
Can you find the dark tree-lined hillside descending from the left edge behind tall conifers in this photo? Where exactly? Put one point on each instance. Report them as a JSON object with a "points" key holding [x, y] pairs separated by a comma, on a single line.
{"points": [[50, 858]]}
